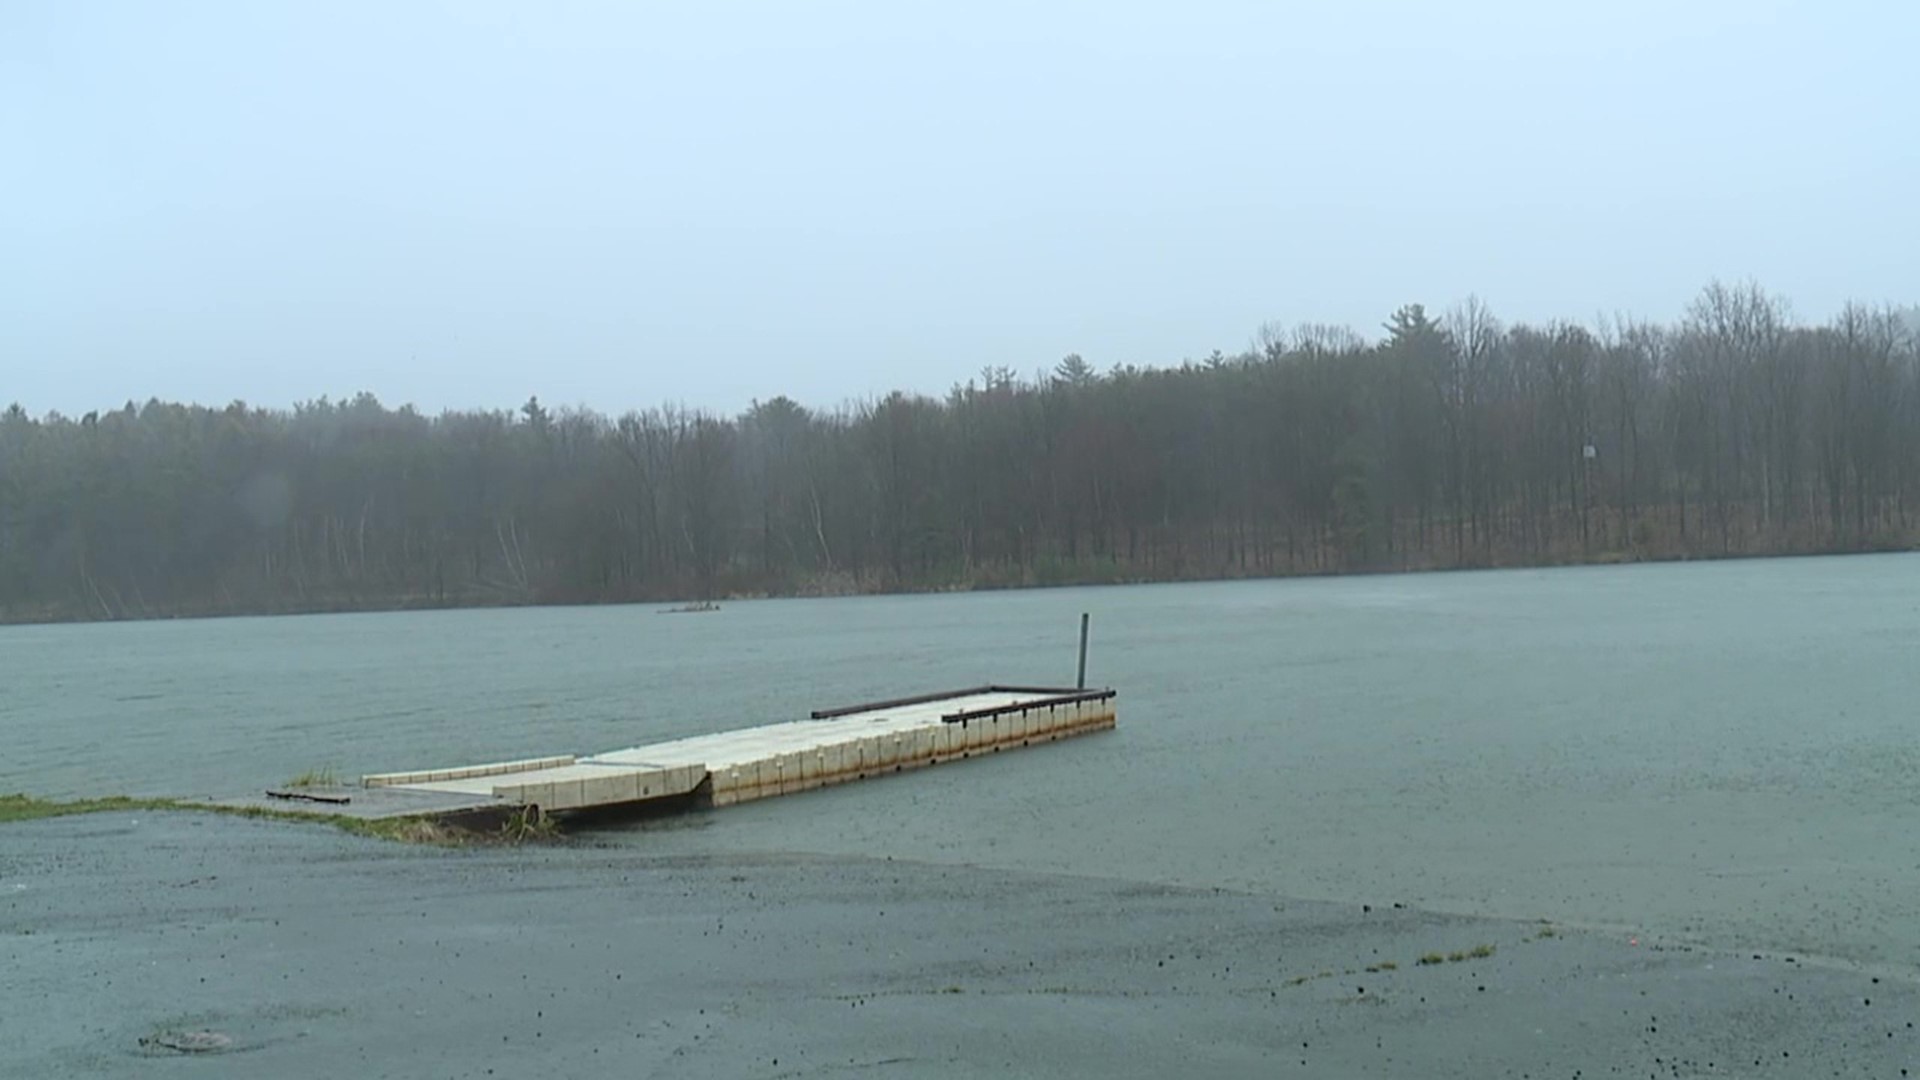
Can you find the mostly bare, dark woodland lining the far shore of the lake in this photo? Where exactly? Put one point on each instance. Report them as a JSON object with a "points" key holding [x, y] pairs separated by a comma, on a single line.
{"points": [[1454, 441]]}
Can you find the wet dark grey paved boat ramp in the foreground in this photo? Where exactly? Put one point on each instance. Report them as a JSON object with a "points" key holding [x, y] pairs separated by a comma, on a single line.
{"points": [[187, 945]]}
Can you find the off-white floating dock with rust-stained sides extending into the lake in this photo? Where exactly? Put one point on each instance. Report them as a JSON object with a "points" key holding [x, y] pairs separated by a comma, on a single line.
{"points": [[832, 747]]}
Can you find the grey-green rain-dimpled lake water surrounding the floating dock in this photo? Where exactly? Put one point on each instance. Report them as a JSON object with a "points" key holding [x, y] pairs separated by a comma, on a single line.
{"points": [[1719, 752]]}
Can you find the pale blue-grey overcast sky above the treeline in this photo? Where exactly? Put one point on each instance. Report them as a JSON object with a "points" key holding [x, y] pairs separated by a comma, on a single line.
{"points": [[627, 205]]}
